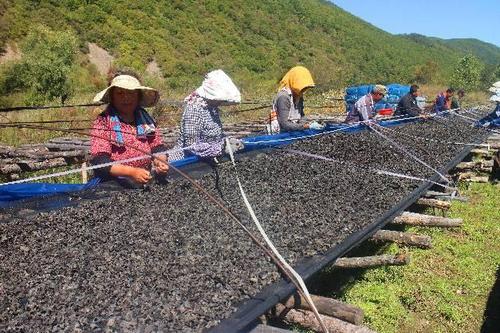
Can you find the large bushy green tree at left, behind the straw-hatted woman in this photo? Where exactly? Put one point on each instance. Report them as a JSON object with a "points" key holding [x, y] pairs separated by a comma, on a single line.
{"points": [[43, 72]]}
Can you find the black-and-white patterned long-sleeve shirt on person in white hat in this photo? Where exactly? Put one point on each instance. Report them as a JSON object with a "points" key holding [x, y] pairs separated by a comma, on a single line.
{"points": [[200, 132]]}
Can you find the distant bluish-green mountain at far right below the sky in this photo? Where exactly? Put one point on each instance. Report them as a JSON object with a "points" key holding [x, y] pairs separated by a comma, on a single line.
{"points": [[488, 53]]}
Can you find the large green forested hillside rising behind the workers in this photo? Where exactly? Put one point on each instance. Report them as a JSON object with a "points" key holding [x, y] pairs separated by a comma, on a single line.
{"points": [[254, 41]]}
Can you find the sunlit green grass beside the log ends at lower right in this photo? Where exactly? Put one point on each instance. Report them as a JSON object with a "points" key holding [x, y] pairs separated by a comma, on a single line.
{"points": [[444, 289]]}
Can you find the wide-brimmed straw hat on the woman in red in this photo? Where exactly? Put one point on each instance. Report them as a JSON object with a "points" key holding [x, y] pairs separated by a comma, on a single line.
{"points": [[149, 96]]}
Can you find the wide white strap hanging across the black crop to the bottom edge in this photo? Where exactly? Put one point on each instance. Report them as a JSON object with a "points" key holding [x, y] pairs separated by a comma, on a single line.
{"points": [[297, 278]]}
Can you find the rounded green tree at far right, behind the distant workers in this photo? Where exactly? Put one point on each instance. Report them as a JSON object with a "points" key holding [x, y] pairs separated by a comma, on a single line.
{"points": [[467, 73]]}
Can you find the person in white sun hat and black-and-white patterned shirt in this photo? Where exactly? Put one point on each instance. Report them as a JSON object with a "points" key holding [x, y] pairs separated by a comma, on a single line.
{"points": [[201, 132]]}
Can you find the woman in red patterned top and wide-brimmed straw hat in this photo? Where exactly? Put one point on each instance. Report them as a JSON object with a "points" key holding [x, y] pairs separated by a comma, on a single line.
{"points": [[125, 131]]}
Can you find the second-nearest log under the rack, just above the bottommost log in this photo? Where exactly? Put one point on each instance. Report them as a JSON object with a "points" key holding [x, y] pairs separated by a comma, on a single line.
{"points": [[329, 307]]}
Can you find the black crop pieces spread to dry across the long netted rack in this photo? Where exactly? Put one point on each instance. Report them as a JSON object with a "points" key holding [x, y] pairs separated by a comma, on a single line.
{"points": [[167, 259]]}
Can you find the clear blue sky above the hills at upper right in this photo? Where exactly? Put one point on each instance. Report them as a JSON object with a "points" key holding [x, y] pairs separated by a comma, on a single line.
{"points": [[439, 18]]}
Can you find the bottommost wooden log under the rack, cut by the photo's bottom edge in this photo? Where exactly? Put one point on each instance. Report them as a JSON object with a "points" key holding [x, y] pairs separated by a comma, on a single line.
{"points": [[307, 320]]}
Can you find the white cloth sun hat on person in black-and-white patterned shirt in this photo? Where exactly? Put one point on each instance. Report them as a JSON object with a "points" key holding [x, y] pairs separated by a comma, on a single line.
{"points": [[217, 86]]}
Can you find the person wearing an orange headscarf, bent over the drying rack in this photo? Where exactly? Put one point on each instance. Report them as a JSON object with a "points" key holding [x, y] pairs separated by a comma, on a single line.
{"points": [[288, 105]]}
